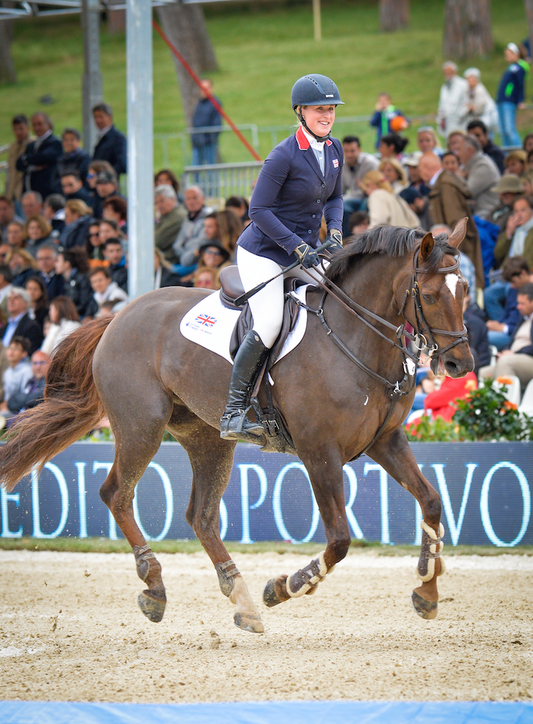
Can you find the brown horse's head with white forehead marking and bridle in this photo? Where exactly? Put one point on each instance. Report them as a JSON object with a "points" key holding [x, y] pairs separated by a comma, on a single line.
{"points": [[438, 292]]}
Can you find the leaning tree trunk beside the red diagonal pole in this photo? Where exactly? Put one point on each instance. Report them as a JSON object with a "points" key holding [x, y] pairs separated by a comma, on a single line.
{"points": [[185, 27]]}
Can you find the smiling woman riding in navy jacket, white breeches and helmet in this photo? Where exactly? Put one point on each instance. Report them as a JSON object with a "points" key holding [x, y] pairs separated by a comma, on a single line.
{"points": [[299, 182]]}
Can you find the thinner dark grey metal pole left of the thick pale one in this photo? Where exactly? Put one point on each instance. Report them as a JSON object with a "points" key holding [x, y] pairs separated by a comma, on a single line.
{"points": [[92, 78]]}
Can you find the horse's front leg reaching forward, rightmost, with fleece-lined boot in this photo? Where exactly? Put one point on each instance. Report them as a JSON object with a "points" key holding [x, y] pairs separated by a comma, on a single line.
{"points": [[395, 455]]}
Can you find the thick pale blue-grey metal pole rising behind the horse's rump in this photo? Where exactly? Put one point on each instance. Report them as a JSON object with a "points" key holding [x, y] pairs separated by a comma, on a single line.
{"points": [[140, 147]]}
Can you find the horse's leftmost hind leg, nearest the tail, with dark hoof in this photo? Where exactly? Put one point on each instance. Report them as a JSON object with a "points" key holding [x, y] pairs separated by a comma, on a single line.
{"points": [[135, 447]]}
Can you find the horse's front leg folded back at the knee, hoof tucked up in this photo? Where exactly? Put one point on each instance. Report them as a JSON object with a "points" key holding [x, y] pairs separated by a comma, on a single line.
{"points": [[327, 481]]}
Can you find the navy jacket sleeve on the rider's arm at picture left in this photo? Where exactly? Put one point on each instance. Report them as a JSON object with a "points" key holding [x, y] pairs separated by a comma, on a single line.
{"points": [[272, 177]]}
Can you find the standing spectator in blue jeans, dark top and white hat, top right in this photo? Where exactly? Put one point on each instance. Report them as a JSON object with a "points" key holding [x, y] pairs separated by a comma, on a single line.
{"points": [[511, 94]]}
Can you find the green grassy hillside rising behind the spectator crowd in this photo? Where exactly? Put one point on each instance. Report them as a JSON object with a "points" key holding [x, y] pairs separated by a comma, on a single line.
{"points": [[261, 51]]}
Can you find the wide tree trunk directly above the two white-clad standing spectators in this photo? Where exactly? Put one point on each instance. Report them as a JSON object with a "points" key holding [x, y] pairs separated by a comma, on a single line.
{"points": [[467, 28]]}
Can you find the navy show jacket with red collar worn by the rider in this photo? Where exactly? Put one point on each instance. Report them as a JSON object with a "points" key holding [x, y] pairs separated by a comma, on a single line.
{"points": [[290, 197]]}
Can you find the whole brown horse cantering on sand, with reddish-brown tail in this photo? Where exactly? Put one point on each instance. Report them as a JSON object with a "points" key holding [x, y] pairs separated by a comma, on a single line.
{"points": [[345, 389]]}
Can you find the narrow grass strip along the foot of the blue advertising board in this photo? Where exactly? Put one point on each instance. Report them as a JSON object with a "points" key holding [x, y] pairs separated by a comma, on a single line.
{"points": [[104, 545]]}
